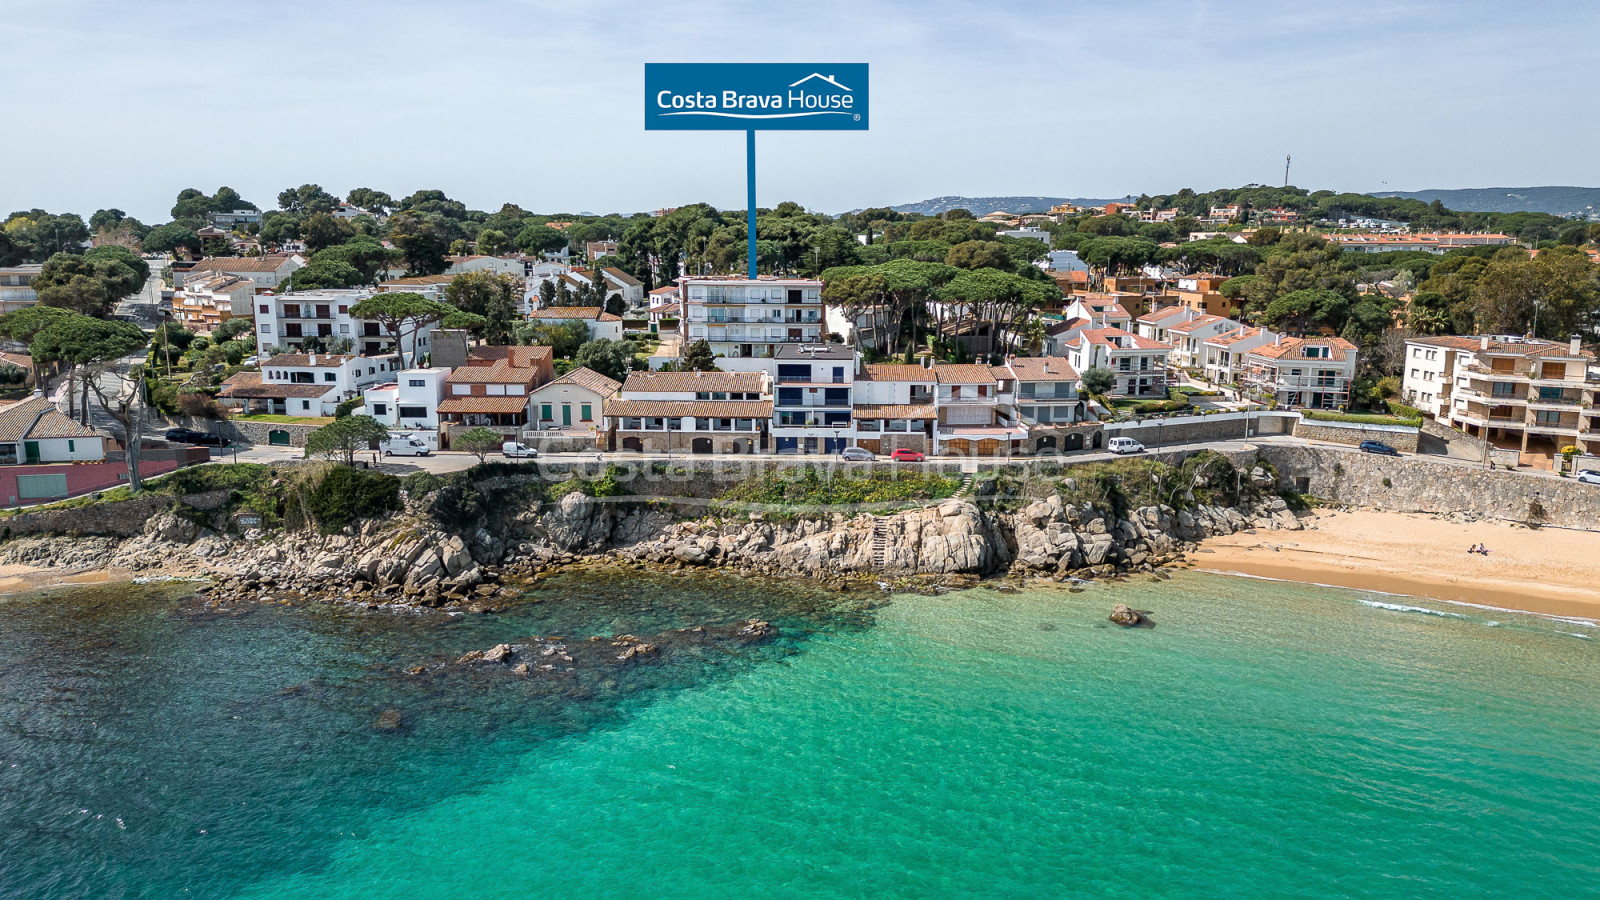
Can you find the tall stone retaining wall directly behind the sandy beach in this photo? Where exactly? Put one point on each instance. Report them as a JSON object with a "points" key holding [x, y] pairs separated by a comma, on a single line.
{"points": [[1422, 486]]}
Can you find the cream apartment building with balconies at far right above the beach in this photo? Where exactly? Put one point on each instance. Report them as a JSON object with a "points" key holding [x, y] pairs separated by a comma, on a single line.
{"points": [[1519, 393]]}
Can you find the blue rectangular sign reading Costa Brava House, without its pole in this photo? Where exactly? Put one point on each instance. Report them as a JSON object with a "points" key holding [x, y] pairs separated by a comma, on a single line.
{"points": [[746, 97]]}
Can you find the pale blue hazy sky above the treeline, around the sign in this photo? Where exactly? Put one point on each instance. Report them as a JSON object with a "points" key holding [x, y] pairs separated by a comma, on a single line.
{"points": [[540, 103]]}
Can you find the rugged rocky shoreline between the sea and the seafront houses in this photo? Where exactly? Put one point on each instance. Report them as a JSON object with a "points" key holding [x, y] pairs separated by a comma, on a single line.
{"points": [[409, 560]]}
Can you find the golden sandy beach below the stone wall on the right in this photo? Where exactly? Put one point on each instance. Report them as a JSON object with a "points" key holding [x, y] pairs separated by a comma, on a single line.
{"points": [[1543, 571]]}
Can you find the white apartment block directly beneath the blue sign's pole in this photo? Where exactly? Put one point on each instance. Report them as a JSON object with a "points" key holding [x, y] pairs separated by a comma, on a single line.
{"points": [[743, 318]]}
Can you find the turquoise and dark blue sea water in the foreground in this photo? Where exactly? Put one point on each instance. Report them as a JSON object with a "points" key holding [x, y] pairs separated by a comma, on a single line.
{"points": [[1262, 741]]}
